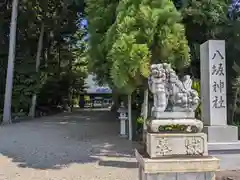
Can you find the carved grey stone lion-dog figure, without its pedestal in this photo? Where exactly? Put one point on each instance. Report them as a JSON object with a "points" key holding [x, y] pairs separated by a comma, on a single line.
{"points": [[171, 94]]}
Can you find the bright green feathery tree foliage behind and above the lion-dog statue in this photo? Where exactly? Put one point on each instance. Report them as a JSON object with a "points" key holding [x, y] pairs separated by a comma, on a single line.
{"points": [[138, 34]]}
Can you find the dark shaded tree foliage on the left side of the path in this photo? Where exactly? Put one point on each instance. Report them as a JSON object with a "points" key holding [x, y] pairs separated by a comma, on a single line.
{"points": [[59, 59]]}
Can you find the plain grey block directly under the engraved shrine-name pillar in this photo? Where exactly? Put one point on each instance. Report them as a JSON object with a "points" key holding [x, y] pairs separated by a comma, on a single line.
{"points": [[221, 133]]}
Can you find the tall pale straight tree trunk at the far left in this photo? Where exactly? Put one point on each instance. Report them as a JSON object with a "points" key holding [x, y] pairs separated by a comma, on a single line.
{"points": [[7, 119]]}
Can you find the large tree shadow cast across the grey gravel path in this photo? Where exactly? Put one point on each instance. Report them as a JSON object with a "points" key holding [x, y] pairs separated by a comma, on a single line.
{"points": [[60, 141]]}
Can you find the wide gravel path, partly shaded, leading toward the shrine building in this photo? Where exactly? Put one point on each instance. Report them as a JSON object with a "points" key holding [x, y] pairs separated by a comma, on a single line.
{"points": [[78, 146]]}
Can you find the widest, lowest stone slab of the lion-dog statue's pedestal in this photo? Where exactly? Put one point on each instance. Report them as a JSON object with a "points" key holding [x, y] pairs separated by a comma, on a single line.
{"points": [[184, 168]]}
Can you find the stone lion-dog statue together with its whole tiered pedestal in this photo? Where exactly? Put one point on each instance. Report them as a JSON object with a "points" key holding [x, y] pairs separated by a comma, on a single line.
{"points": [[176, 146]]}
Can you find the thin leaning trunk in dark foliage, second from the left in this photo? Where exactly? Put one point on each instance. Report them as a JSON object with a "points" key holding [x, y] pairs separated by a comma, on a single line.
{"points": [[38, 58]]}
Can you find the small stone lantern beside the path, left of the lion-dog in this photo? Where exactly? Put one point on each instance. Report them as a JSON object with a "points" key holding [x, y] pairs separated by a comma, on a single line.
{"points": [[123, 117]]}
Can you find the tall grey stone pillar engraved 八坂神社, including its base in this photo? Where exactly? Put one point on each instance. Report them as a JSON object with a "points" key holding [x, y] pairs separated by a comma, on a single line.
{"points": [[221, 136]]}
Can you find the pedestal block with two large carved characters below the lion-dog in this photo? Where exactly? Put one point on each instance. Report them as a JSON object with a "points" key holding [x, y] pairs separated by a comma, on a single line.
{"points": [[165, 145]]}
